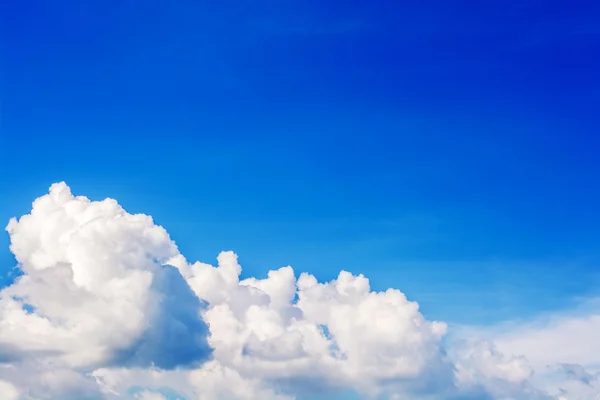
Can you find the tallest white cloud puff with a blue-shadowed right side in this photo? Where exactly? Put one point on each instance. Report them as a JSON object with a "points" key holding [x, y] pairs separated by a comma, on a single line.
{"points": [[94, 289]]}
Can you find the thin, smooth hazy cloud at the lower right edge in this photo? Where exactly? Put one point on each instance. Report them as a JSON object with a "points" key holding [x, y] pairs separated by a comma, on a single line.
{"points": [[562, 348]]}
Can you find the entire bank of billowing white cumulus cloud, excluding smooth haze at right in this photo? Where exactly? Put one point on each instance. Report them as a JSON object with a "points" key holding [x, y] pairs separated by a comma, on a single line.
{"points": [[106, 307]]}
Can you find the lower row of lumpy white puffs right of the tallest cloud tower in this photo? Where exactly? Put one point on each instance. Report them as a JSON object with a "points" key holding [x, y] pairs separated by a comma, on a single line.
{"points": [[336, 335]]}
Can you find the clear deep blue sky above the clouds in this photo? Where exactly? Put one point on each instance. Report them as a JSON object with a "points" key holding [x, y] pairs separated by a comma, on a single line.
{"points": [[446, 148]]}
